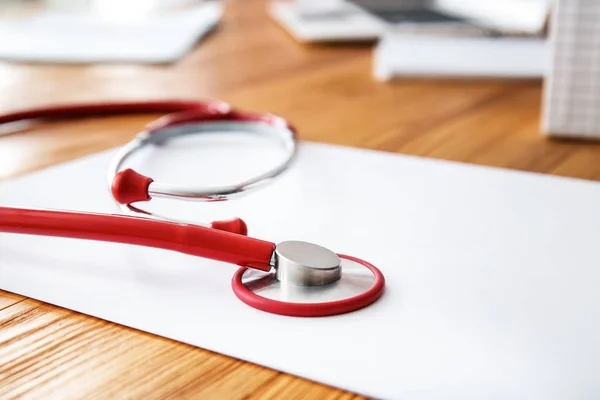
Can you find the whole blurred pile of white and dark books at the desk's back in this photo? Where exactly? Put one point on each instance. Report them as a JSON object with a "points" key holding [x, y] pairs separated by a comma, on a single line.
{"points": [[503, 38]]}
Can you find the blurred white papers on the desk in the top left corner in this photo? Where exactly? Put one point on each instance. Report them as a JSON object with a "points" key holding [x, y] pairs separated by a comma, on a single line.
{"points": [[76, 38]]}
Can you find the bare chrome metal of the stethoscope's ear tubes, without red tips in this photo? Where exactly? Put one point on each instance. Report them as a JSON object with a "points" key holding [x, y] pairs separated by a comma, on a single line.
{"points": [[198, 193]]}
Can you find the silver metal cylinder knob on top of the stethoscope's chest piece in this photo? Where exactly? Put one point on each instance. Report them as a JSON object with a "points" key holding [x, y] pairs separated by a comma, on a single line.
{"points": [[306, 264]]}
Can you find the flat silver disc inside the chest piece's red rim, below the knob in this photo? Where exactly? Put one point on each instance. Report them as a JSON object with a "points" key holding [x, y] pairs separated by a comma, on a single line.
{"points": [[356, 279]]}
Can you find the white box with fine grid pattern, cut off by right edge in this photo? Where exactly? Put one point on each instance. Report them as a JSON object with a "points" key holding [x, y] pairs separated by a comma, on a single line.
{"points": [[572, 90]]}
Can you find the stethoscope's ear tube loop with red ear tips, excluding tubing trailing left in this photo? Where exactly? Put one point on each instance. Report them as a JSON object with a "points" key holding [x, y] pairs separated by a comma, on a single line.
{"points": [[128, 186]]}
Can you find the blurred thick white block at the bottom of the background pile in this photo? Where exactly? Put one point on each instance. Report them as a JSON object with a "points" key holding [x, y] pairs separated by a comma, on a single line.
{"points": [[406, 54]]}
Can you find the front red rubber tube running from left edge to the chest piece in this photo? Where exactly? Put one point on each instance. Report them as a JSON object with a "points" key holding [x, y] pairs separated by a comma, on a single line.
{"points": [[189, 239]]}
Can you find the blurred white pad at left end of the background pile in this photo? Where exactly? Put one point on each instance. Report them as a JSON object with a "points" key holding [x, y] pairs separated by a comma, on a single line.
{"points": [[335, 21]]}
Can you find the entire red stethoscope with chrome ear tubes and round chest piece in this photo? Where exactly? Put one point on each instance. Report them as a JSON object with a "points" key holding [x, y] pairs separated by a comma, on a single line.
{"points": [[292, 278]]}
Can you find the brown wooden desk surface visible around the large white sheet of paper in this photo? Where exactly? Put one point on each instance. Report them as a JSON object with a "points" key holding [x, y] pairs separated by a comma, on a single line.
{"points": [[329, 95]]}
